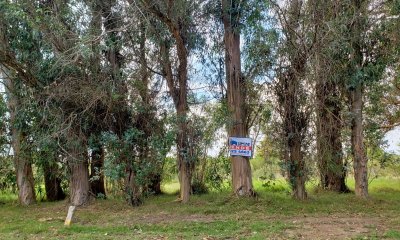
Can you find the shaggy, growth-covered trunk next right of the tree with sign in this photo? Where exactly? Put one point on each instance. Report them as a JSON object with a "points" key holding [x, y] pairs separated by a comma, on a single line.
{"points": [[289, 90]]}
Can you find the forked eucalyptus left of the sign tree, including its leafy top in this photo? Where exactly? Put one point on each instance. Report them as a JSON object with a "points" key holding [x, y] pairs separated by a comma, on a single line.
{"points": [[180, 38]]}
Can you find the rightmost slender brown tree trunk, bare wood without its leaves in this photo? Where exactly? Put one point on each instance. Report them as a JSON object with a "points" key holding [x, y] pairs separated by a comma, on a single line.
{"points": [[356, 98]]}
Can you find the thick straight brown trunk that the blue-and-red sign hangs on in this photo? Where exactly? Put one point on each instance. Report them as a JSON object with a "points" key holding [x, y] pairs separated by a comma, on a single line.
{"points": [[236, 91]]}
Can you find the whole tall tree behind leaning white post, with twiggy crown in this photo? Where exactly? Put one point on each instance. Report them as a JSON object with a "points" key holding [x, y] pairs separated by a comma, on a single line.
{"points": [[63, 35]]}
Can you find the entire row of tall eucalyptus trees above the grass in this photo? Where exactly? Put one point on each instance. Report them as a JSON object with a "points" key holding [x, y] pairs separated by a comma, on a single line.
{"points": [[99, 91]]}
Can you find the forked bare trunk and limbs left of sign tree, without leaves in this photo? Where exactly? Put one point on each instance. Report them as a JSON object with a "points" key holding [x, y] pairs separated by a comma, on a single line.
{"points": [[178, 90]]}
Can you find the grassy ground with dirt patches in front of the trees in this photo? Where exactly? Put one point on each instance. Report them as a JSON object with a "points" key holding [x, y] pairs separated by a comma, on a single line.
{"points": [[272, 215]]}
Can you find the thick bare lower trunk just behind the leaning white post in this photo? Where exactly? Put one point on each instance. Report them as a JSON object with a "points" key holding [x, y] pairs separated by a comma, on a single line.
{"points": [[79, 182]]}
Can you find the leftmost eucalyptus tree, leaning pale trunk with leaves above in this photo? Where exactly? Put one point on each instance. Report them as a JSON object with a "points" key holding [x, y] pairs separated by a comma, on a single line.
{"points": [[10, 71]]}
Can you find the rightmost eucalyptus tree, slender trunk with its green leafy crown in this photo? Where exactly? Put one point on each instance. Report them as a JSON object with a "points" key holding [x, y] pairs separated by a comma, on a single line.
{"points": [[371, 55]]}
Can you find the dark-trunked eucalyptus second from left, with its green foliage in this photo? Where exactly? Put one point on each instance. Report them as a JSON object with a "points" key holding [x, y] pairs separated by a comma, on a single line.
{"points": [[27, 58]]}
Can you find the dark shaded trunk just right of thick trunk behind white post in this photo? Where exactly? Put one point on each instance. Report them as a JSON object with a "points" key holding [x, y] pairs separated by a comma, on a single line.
{"points": [[96, 172]]}
